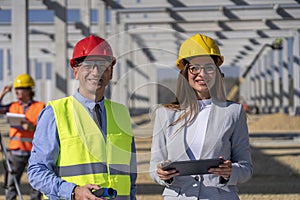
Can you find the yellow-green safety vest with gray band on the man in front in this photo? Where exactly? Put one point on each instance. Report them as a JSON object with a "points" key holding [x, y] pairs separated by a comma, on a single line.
{"points": [[85, 157]]}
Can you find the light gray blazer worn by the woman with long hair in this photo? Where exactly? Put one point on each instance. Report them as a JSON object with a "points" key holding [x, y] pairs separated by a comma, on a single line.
{"points": [[226, 135]]}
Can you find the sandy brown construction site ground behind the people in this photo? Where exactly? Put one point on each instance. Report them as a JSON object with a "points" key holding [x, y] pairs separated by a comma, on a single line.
{"points": [[275, 153]]}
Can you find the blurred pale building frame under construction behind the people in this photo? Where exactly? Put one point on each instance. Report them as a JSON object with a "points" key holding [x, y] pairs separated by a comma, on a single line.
{"points": [[259, 39]]}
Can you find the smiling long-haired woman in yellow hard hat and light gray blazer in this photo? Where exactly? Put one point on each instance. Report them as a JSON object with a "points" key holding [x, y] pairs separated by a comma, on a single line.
{"points": [[201, 124]]}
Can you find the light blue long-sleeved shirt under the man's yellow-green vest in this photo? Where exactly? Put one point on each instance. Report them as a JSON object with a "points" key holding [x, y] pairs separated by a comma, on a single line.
{"points": [[45, 152]]}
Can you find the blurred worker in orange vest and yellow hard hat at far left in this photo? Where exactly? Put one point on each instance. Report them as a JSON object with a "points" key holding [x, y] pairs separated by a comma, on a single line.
{"points": [[20, 143]]}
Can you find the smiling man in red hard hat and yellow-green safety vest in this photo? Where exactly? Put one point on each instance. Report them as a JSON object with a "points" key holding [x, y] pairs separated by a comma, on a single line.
{"points": [[73, 152]]}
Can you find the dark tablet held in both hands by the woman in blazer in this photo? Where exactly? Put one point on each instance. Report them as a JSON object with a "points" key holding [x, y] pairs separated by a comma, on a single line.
{"points": [[193, 167]]}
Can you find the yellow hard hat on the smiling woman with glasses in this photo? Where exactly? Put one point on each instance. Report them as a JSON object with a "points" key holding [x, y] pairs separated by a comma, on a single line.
{"points": [[198, 45]]}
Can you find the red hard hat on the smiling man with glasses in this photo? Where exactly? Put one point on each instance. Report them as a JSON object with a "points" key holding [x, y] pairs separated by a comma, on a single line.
{"points": [[92, 46]]}
